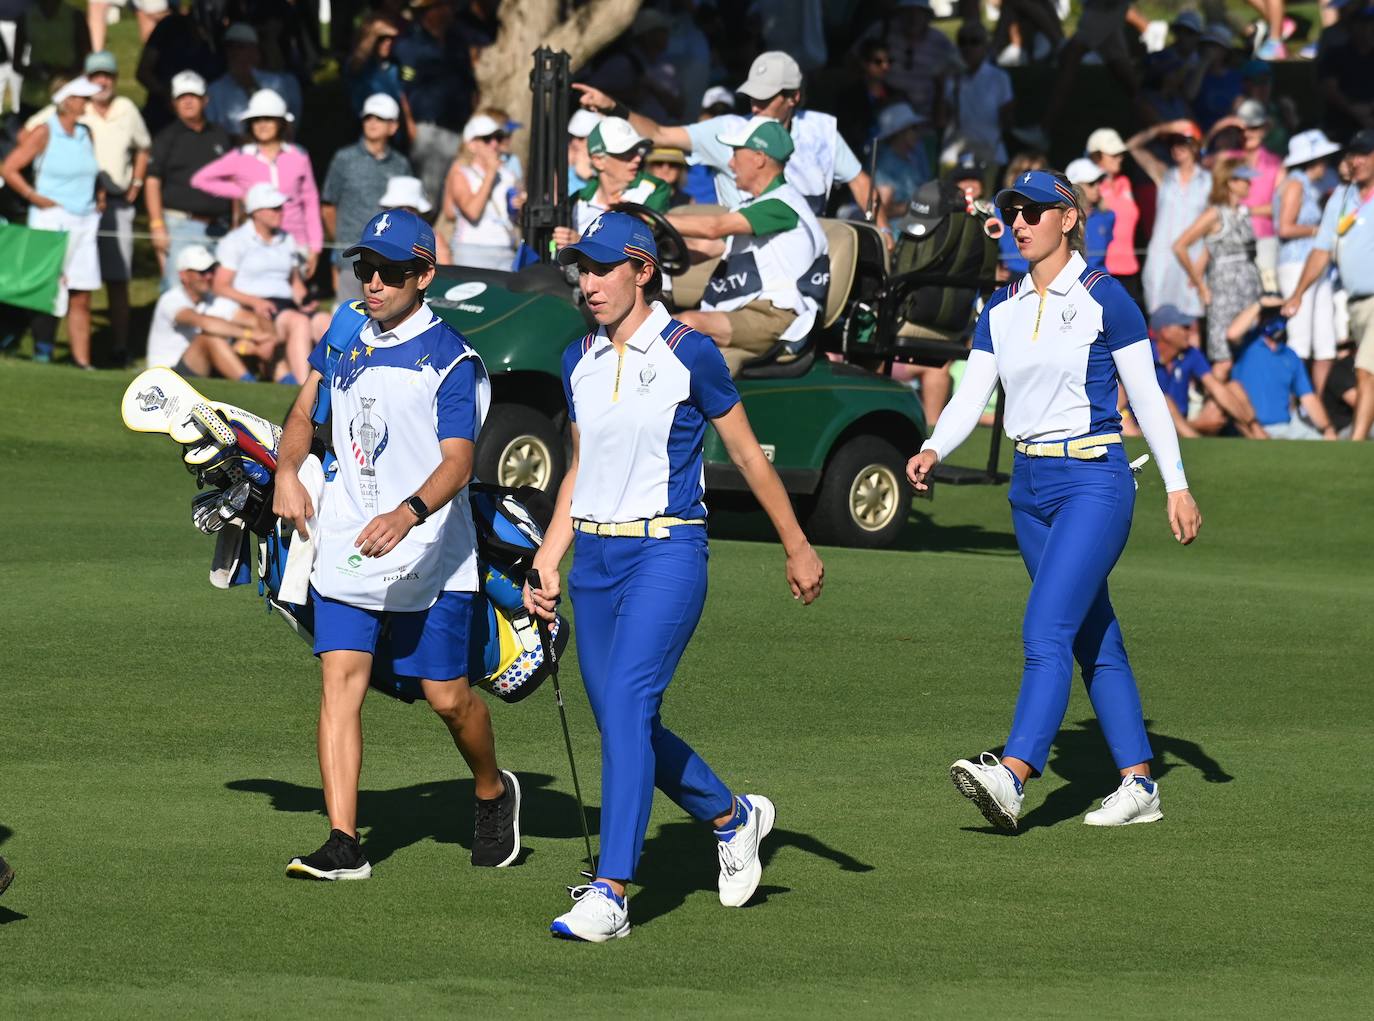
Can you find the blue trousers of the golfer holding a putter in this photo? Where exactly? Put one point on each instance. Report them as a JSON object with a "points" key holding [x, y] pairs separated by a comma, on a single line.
{"points": [[637, 604]]}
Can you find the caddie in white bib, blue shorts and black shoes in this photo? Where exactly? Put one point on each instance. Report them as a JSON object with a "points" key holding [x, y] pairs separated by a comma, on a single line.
{"points": [[395, 548]]}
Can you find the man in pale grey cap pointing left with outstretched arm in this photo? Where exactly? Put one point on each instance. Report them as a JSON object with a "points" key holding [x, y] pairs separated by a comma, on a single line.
{"points": [[774, 90]]}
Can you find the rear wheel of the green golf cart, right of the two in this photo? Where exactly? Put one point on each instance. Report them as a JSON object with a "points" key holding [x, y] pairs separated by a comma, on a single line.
{"points": [[864, 498]]}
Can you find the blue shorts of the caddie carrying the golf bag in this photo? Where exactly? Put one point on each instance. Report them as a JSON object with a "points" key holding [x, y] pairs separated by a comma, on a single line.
{"points": [[425, 644]]}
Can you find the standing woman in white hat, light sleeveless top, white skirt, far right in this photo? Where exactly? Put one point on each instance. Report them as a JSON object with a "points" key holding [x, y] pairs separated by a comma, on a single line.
{"points": [[1298, 215]]}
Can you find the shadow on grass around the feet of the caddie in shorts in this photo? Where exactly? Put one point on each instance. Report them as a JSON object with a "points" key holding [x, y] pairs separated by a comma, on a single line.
{"points": [[442, 811]]}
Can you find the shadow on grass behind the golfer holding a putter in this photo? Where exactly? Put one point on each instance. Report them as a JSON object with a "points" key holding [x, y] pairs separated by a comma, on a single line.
{"points": [[679, 861]]}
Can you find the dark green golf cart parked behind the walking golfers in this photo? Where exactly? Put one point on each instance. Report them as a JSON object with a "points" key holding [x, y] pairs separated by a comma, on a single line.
{"points": [[837, 431]]}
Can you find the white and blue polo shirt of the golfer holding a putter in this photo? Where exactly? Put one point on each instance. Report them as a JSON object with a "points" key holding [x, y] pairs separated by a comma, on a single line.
{"points": [[642, 420]]}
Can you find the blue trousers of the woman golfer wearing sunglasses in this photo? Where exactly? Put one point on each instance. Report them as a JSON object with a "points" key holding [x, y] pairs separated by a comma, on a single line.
{"points": [[1072, 520]]}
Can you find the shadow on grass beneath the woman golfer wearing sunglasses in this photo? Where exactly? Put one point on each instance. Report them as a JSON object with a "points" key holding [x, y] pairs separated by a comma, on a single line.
{"points": [[1081, 759]]}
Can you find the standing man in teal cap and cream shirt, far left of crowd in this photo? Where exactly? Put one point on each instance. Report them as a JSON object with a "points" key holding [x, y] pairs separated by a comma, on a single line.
{"points": [[122, 153]]}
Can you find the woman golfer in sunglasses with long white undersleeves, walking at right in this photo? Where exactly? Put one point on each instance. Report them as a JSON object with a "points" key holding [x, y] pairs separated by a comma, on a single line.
{"points": [[1060, 340]]}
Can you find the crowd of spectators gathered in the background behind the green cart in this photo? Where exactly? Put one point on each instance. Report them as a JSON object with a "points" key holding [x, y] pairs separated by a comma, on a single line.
{"points": [[1232, 192]]}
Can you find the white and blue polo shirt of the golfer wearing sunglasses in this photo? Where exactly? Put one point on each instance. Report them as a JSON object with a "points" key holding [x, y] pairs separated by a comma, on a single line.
{"points": [[1055, 352]]}
